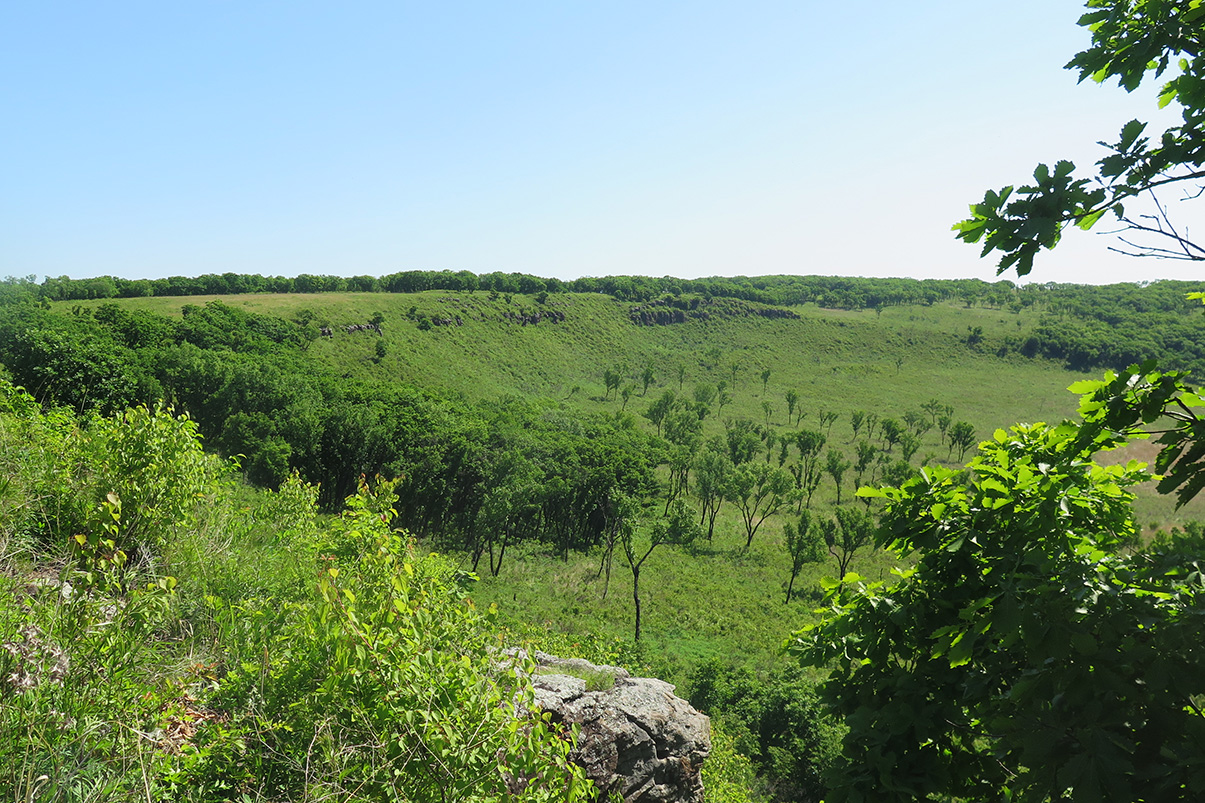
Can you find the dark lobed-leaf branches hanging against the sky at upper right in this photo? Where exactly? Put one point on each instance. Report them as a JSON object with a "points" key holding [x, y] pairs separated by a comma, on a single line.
{"points": [[1132, 40]]}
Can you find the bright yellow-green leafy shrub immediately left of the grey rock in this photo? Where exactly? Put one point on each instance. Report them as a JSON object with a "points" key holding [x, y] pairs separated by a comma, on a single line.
{"points": [[389, 687]]}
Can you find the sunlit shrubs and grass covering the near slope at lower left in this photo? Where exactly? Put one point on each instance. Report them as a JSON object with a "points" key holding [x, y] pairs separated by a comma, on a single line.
{"points": [[384, 683]]}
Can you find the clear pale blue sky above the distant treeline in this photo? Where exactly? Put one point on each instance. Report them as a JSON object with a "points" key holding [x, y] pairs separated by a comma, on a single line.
{"points": [[701, 138]]}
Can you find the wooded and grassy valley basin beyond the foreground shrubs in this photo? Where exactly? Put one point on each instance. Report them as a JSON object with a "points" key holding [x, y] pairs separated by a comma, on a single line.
{"points": [[537, 437]]}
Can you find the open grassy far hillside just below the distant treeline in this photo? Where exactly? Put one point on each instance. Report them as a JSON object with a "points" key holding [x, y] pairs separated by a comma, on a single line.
{"points": [[834, 359]]}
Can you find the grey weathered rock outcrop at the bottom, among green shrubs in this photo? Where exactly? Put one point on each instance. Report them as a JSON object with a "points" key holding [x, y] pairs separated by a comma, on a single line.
{"points": [[637, 738]]}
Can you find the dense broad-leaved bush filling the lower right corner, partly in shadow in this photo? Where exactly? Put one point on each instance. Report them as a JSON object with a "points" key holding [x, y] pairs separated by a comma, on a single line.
{"points": [[1024, 658]]}
